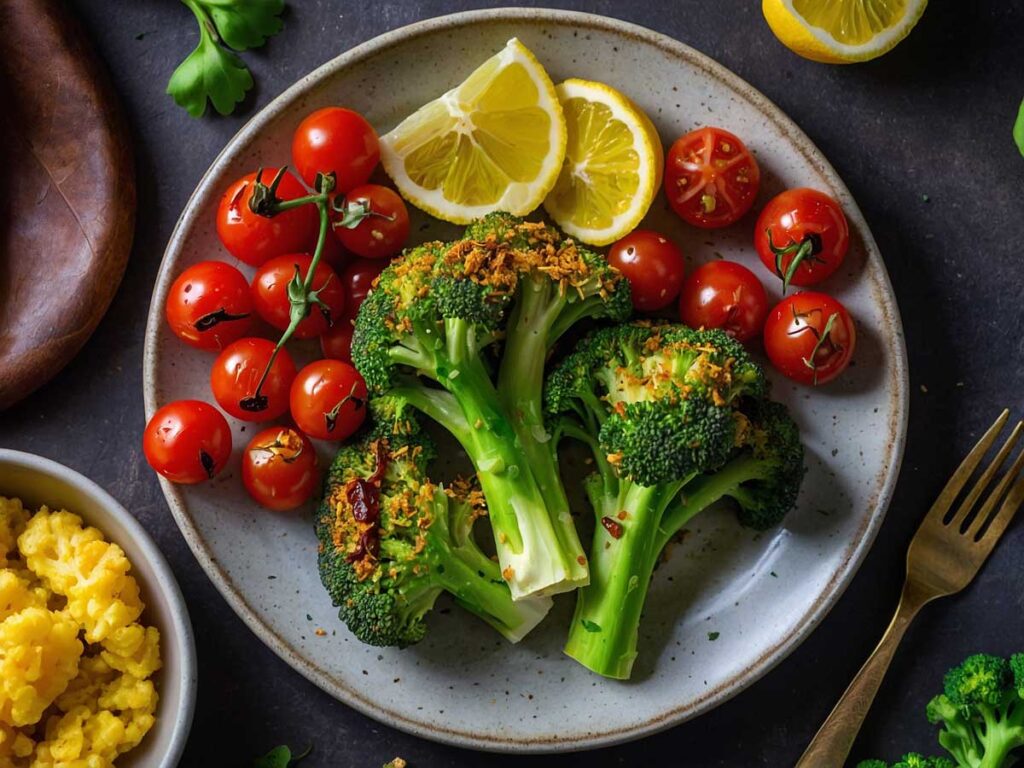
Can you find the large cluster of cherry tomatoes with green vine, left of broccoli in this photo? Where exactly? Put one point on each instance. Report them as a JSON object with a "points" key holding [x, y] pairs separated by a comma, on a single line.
{"points": [[271, 221]]}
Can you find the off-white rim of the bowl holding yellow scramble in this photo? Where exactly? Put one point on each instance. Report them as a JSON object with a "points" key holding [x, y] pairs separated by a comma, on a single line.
{"points": [[181, 625]]}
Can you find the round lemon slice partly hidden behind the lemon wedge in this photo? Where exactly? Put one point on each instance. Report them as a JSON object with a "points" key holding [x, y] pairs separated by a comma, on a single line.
{"points": [[613, 168]]}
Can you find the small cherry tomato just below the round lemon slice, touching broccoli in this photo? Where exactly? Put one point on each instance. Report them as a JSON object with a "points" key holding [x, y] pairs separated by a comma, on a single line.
{"points": [[655, 268]]}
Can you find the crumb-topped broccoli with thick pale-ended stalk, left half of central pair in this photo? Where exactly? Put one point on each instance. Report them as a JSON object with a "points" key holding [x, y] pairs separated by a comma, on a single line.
{"points": [[422, 334]]}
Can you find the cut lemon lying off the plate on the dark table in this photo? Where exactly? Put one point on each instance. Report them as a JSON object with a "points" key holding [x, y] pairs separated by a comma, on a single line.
{"points": [[842, 31]]}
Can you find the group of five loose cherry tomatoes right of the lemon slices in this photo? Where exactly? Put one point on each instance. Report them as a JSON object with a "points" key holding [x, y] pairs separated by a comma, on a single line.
{"points": [[801, 237]]}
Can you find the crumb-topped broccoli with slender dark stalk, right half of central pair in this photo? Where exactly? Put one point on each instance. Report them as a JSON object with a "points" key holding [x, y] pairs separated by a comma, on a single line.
{"points": [[558, 284]]}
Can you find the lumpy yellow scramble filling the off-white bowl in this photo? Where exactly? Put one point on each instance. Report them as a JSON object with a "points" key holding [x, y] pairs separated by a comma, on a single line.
{"points": [[75, 662]]}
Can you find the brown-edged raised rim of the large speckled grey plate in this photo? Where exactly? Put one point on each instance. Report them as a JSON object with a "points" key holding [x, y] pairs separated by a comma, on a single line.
{"points": [[884, 295]]}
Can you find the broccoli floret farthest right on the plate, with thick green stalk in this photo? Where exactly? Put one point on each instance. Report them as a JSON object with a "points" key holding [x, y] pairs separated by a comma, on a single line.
{"points": [[676, 420]]}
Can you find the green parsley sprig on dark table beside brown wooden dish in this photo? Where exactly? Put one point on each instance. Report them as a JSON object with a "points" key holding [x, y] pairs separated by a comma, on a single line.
{"points": [[212, 72]]}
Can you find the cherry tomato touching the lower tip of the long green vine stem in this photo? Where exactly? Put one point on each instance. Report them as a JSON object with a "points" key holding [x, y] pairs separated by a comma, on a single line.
{"points": [[237, 373]]}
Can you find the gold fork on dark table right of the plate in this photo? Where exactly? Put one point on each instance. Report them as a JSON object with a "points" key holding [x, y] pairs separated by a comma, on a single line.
{"points": [[945, 556]]}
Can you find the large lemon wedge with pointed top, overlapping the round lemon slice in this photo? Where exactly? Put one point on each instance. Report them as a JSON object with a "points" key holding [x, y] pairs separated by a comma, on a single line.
{"points": [[493, 144]]}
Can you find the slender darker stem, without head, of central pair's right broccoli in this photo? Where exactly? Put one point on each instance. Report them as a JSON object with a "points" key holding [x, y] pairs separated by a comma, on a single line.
{"points": [[521, 385]]}
